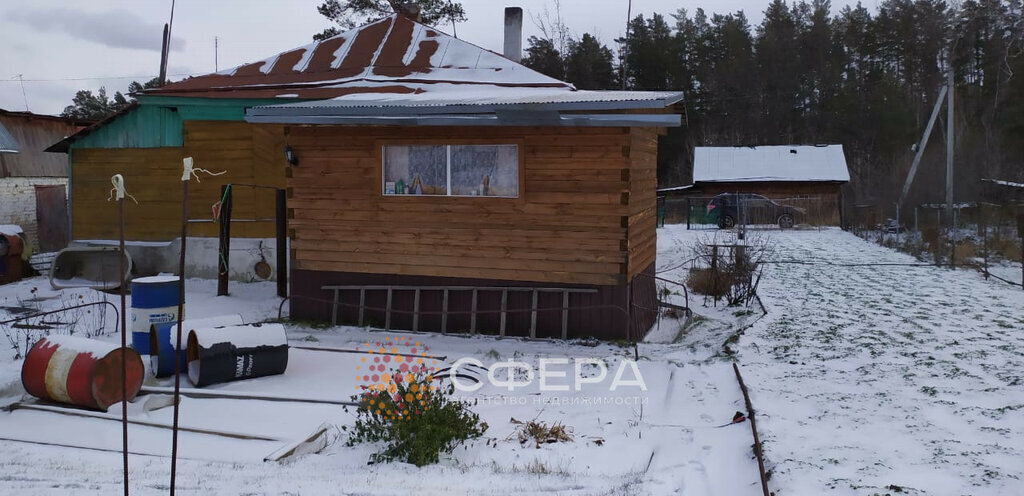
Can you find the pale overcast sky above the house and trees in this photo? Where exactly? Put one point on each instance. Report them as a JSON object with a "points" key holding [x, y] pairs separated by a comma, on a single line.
{"points": [[61, 47]]}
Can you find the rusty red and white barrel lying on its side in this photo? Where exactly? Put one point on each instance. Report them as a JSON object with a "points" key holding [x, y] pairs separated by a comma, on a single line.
{"points": [[80, 371]]}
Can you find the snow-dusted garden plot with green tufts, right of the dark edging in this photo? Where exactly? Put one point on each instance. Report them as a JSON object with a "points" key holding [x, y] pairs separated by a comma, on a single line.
{"points": [[885, 380]]}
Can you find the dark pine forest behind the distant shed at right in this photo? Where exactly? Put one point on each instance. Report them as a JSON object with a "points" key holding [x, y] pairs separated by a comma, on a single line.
{"points": [[866, 79]]}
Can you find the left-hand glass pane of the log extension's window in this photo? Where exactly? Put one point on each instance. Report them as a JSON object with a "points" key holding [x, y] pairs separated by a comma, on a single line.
{"points": [[416, 171]]}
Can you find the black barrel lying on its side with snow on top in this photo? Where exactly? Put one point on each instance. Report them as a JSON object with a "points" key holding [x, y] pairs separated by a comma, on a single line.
{"points": [[226, 354]]}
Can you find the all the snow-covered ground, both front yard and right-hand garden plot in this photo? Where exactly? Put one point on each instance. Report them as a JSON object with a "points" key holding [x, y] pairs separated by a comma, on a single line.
{"points": [[868, 380]]}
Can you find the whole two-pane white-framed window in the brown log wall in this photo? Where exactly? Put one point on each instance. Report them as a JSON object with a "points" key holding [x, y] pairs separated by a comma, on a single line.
{"points": [[452, 171]]}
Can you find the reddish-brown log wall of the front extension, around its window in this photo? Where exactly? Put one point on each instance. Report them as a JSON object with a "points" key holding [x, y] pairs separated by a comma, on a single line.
{"points": [[585, 213]]}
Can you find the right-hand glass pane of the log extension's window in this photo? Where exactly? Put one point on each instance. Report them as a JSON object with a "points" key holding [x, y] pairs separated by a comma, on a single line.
{"points": [[486, 171]]}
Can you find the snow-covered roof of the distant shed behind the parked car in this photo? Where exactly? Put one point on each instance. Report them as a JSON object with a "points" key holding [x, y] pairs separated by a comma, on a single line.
{"points": [[785, 163]]}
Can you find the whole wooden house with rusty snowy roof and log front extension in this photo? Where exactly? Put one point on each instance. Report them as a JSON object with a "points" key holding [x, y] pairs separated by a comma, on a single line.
{"points": [[435, 185]]}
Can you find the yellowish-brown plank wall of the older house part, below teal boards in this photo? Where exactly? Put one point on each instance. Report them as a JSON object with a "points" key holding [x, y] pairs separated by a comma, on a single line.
{"points": [[250, 154]]}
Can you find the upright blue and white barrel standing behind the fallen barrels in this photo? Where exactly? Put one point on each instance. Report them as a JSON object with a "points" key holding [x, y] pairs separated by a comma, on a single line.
{"points": [[154, 301]]}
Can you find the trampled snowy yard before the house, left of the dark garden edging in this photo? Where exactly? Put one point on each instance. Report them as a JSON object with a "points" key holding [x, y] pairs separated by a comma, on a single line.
{"points": [[661, 441]]}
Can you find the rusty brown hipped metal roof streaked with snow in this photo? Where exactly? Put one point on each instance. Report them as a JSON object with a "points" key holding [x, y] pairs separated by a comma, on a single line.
{"points": [[395, 55]]}
